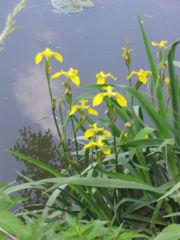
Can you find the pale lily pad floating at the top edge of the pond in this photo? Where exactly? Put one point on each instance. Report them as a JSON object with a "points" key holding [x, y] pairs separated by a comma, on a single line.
{"points": [[71, 6]]}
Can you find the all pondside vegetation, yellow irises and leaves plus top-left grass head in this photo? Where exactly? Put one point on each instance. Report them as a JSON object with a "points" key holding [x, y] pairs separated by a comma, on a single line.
{"points": [[120, 178]]}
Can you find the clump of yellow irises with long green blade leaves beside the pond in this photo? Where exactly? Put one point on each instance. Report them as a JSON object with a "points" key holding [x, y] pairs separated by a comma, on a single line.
{"points": [[128, 171]]}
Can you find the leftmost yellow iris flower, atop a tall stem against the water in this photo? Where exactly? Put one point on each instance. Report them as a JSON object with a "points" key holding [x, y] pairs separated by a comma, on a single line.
{"points": [[48, 53]]}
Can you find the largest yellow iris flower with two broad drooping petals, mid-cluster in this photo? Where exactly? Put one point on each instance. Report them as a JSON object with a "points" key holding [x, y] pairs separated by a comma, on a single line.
{"points": [[97, 100]]}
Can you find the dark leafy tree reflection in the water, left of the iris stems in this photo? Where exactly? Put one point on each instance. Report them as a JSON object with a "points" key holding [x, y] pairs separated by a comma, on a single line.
{"points": [[40, 146]]}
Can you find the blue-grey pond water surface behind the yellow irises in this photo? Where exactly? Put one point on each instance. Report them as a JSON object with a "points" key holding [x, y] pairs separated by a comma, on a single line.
{"points": [[90, 40]]}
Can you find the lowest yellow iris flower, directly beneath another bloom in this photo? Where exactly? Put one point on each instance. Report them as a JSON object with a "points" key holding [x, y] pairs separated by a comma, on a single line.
{"points": [[99, 144]]}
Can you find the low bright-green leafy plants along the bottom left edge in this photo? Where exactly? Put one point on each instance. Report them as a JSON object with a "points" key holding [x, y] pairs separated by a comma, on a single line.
{"points": [[32, 225]]}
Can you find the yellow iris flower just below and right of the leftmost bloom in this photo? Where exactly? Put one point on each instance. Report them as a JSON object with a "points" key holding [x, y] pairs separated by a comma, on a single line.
{"points": [[72, 74]]}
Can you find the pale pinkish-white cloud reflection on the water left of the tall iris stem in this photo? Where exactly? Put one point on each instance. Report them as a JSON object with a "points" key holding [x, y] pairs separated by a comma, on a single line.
{"points": [[32, 95]]}
